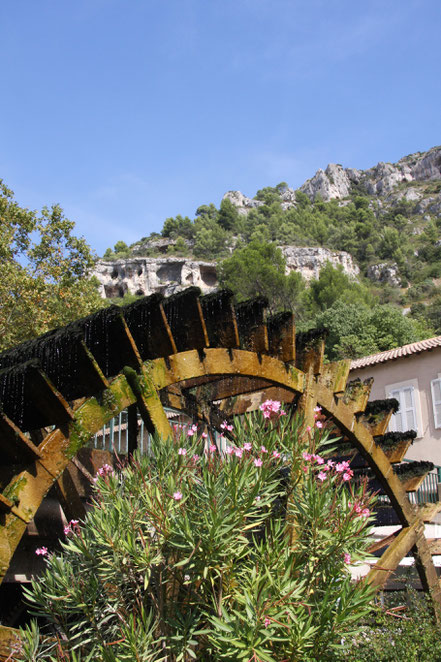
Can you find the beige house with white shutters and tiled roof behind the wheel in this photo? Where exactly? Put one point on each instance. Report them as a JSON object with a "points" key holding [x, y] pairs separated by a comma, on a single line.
{"points": [[412, 375]]}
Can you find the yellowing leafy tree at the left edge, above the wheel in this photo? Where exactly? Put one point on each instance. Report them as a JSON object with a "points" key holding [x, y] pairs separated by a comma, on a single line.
{"points": [[44, 272]]}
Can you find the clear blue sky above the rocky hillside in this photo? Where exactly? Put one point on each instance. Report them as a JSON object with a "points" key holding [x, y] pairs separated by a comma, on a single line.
{"points": [[127, 112]]}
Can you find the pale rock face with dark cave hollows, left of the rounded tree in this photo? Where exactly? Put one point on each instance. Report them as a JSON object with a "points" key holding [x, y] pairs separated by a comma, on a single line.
{"points": [[146, 275]]}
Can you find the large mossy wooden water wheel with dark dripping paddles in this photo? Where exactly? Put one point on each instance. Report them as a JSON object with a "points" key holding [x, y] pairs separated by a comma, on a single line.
{"points": [[199, 354]]}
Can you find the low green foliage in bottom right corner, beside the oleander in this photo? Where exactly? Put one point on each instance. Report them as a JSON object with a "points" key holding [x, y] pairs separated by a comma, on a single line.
{"points": [[404, 631]]}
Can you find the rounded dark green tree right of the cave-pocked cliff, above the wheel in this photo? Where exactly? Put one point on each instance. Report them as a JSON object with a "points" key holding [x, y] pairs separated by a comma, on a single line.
{"points": [[258, 269]]}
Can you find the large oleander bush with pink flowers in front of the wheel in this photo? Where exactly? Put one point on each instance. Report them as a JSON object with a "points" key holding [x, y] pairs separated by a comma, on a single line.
{"points": [[190, 554]]}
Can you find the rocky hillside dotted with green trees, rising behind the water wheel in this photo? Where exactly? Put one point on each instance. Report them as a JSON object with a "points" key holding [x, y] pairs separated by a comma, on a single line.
{"points": [[381, 226]]}
